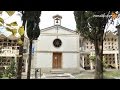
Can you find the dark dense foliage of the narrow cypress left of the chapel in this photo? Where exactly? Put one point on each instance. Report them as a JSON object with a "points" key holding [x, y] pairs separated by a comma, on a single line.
{"points": [[33, 19]]}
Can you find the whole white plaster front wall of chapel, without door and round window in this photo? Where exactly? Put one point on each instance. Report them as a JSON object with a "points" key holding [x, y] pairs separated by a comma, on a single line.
{"points": [[44, 48]]}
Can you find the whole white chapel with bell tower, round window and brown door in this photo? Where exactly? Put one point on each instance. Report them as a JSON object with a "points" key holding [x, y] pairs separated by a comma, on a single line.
{"points": [[57, 48]]}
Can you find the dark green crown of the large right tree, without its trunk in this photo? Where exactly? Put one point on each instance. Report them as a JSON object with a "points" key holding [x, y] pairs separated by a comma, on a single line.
{"points": [[88, 25]]}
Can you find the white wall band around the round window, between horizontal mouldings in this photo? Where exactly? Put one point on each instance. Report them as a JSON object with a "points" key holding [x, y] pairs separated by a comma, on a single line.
{"points": [[69, 43]]}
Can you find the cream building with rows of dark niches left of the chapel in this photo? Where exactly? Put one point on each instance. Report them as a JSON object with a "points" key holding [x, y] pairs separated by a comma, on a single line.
{"points": [[9, 50]]}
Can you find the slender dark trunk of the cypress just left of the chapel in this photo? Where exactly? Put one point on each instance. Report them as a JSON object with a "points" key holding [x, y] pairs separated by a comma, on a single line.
{"points": [[29, 61]]}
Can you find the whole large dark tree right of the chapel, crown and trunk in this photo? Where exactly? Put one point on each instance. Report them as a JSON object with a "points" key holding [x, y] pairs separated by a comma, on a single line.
{"points": [[92, 29]]}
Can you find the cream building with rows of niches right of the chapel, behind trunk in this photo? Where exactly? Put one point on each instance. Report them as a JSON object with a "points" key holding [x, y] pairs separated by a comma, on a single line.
{"points": [[110, 51]]}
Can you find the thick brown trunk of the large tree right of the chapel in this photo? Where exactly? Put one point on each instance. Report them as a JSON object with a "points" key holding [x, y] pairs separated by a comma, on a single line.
{"points": [[99, 60]]}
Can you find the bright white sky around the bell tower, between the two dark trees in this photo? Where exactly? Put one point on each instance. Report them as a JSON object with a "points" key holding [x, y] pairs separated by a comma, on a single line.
{"points": [[67, 20]]}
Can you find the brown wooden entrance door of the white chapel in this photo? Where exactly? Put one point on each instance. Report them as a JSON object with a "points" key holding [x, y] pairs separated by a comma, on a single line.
{"points": [[57, 60]]}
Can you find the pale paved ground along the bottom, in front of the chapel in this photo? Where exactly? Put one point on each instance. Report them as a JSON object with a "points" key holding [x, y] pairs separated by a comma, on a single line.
{"points": [[84, 74]]}
